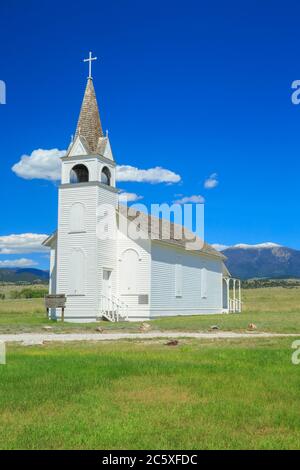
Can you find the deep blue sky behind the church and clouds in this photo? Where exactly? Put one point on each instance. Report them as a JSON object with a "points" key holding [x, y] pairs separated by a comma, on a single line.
{"points": [[194, 87]]}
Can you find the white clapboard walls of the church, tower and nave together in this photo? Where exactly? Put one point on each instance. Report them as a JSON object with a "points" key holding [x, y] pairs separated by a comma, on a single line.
{"points": [[152, 278]]}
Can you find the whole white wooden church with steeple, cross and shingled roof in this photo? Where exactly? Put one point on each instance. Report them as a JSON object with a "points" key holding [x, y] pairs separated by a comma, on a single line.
{"points": [[123, 277]]}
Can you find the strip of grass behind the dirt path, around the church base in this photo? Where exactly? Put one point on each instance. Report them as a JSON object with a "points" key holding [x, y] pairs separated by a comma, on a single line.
{"points": [[271, 309]]}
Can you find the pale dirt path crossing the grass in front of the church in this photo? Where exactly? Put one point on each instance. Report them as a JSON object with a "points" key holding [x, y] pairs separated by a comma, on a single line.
{"points": [[39, 338]]}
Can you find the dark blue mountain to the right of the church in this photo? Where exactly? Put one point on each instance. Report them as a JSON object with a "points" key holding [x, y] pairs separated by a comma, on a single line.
{"points": [[265, 260]]}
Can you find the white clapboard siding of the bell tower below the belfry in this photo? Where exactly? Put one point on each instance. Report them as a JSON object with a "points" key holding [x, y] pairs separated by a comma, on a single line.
{"points": [[82, 201]]}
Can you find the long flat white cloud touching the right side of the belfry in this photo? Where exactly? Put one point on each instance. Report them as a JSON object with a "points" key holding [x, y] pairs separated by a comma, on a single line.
{"points": [[152, 175]]}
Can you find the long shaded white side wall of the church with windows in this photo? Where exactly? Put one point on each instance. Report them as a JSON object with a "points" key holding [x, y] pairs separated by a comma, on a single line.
{"points": [[194, 287]]}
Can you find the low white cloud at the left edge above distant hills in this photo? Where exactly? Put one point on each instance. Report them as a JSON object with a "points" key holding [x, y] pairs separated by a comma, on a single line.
{"points": [[23, 243]]}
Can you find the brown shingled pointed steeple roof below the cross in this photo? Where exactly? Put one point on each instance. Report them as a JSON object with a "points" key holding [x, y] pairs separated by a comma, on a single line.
{"points": [[89, 124]]}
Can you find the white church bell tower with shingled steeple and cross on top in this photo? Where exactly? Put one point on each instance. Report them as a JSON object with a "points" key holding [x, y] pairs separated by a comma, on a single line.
{"points": [[88, 182]]}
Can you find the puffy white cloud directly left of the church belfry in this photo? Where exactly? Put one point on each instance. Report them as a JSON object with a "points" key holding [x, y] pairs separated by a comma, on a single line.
{"points": [[41, 164]]}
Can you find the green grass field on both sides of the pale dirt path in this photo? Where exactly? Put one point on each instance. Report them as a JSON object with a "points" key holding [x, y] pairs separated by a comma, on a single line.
{"points": [[217, 394]]}
